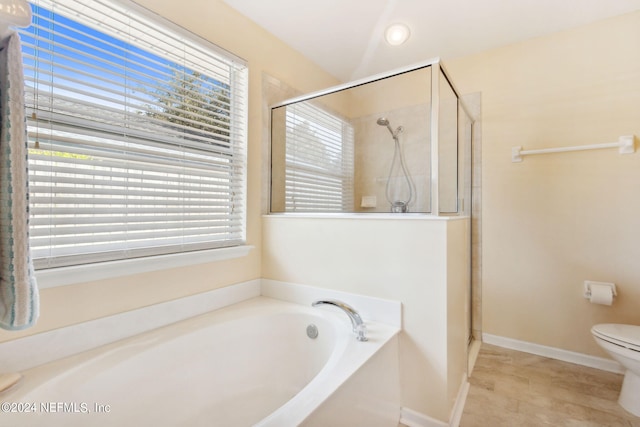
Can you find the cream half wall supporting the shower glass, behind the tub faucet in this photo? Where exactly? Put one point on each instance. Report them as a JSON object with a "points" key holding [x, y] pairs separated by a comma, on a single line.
{"points": [[422, 262]]}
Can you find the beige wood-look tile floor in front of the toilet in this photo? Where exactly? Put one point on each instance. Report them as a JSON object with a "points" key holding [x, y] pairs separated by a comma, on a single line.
{"points": [[511, 388]]}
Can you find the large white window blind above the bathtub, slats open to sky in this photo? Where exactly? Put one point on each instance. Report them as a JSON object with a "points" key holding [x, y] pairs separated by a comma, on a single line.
{"points": [[137, 135]]}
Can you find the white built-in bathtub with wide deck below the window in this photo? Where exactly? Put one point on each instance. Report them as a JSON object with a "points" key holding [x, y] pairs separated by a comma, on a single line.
{"points": [[249, 364]]}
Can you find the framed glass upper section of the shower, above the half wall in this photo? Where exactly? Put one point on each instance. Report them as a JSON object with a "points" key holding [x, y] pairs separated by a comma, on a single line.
{"points": [[396, 142]]}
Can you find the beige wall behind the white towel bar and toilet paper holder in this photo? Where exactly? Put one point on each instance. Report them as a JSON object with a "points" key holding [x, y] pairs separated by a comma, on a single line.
{"points": [[555, 220]]}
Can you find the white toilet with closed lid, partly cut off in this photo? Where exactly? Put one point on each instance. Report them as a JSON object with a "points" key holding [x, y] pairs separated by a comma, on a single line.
{"points": [[622, 342]]}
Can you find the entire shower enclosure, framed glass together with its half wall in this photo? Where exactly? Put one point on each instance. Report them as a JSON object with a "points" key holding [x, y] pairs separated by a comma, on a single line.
{"points": [[370, 192]]}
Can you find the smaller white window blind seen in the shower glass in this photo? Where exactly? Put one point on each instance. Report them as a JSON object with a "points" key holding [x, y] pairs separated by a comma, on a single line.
{"points": [[319, 161]]}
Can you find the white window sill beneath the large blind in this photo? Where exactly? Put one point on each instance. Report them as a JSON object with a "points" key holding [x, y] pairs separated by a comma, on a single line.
{"points": [[62, 276]]}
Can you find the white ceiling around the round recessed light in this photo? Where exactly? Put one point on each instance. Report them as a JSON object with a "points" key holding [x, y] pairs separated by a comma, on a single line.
{"points": [[345, 37]]}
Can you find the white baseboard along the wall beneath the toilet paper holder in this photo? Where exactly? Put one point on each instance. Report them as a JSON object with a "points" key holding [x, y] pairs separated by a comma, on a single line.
{"points": [[555, 353]]}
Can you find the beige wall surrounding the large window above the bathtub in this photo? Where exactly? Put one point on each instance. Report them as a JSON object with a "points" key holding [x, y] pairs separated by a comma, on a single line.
{"points": [[215, 21]]}
